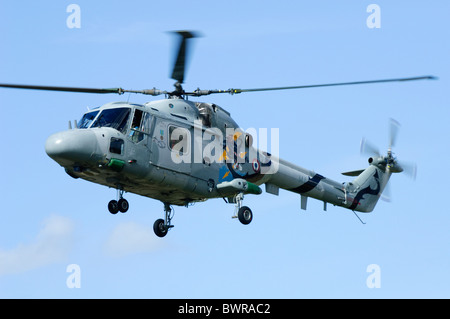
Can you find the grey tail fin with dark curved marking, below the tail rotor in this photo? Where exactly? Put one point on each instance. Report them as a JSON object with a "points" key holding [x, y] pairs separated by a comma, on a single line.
{"points": [[364, 191]]}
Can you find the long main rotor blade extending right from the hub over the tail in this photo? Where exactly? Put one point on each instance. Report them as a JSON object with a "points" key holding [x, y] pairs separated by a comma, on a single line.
{"points": [[237, 91]]}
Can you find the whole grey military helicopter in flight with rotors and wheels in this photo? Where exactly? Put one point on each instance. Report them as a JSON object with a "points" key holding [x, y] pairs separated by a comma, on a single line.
{"points": [[180, 152]]}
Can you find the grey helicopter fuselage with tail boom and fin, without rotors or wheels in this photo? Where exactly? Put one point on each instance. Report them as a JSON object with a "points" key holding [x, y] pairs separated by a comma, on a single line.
{"points": [[153, 149]]}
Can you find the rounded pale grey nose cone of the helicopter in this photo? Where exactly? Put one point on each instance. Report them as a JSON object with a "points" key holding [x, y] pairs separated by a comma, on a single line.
{"points": [[71, 146]]}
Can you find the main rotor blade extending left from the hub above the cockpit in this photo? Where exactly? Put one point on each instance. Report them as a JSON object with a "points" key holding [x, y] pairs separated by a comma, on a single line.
{"points": [[153, 91]]}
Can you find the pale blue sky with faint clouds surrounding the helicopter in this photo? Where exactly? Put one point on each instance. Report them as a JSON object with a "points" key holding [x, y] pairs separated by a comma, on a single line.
{"points": [[50, 221]]}
